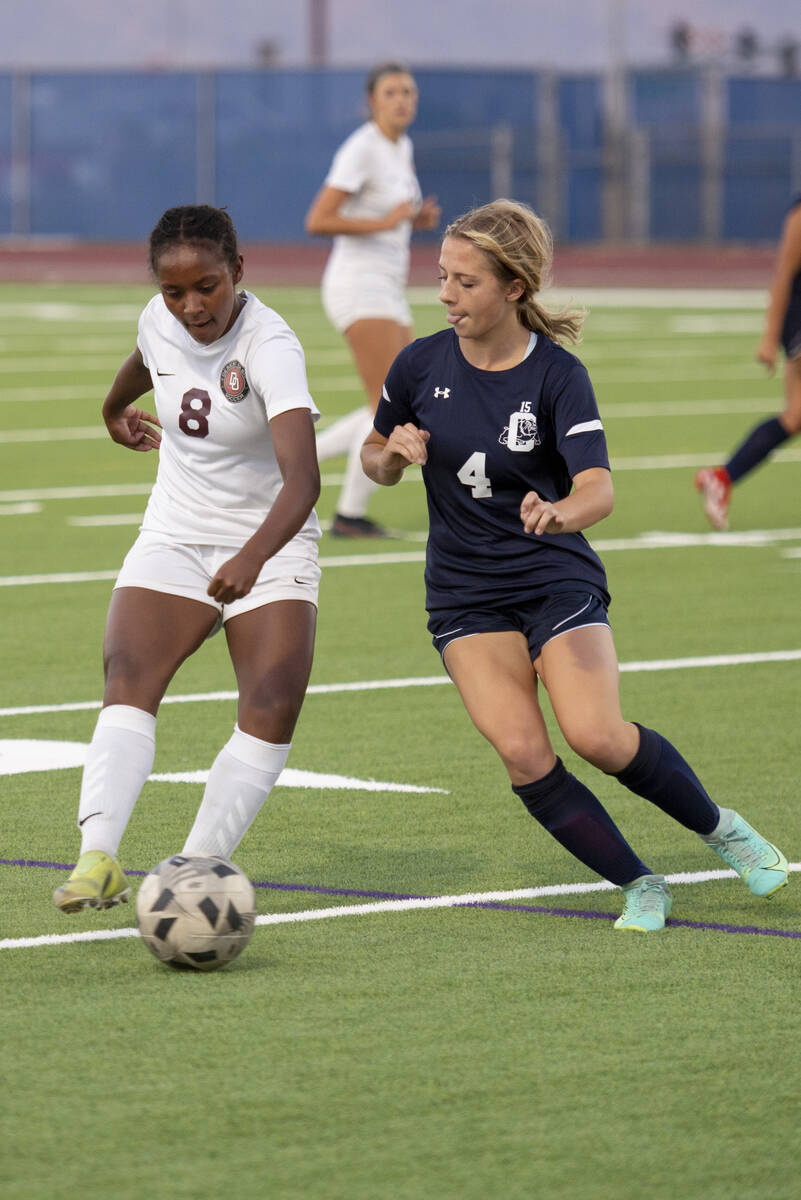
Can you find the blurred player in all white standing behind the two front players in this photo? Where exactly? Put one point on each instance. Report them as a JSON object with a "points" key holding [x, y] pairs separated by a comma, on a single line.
{"points": [[370, 205]]}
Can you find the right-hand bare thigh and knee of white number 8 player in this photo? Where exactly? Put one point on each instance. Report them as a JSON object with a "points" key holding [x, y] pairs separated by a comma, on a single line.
{"points": [[272, 649]]}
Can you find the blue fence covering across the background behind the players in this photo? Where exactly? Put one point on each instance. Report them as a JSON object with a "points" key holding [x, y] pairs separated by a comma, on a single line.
{"points": [[101, 155]]}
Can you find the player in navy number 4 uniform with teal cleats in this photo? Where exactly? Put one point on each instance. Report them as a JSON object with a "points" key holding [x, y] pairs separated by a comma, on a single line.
{"points": [[507, 429]]}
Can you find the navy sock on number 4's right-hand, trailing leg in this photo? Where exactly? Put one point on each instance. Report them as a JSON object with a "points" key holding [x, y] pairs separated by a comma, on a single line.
{"points": [[660, 775]]}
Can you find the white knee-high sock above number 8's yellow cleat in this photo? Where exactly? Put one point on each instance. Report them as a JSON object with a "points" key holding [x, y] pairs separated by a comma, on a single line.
{"points": [[121, 758]]}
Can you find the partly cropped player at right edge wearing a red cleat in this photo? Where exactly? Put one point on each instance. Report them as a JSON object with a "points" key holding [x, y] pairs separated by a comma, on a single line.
{"points": [[782, 328]]}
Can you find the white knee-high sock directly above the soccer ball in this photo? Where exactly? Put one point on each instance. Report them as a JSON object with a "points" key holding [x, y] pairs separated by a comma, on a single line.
{"points": [[239, 783]]}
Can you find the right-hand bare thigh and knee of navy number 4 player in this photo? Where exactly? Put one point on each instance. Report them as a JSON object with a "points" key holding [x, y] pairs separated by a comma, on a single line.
{"points": [[580, 669]]}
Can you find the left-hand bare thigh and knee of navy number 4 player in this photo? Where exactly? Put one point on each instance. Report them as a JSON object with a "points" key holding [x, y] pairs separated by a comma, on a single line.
{"points": [[498, 686]]}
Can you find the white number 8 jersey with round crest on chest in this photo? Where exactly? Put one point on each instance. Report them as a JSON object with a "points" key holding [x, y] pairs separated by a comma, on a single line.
{"points": [[218, 471]]}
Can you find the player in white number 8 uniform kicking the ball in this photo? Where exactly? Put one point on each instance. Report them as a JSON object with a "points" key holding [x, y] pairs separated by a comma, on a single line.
{"points": [[230, 536]]}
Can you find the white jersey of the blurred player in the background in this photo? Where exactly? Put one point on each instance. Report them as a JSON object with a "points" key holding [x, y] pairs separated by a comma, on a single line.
{"points": [[380, 175]]}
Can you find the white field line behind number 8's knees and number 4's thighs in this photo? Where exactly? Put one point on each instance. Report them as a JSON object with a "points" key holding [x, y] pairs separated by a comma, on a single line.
{"points": [[329, 689]]}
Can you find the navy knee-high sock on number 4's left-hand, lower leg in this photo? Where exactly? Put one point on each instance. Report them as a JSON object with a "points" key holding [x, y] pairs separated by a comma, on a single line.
{"points": [[576, 818]]}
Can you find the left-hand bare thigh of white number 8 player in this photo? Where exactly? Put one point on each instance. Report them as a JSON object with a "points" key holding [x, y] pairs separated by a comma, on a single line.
{"points": [[148, 635]]}
